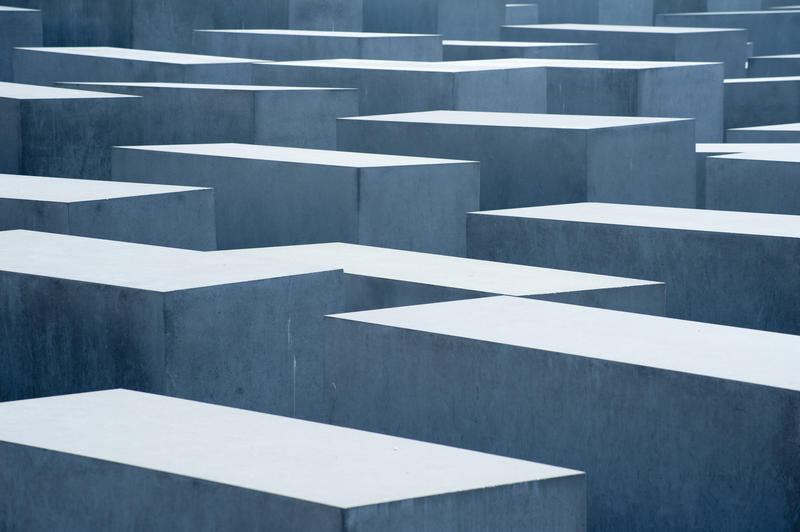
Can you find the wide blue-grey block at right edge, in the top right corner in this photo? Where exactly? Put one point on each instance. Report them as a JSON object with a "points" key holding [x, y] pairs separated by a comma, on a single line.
{"points": [[772, 32]]}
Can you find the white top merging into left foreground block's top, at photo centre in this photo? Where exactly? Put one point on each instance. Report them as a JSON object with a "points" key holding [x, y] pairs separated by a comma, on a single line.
{"points": [[439, 270]]}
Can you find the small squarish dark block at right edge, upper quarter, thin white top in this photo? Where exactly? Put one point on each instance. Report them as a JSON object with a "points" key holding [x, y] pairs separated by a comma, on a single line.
{"points": [[761, 101]]}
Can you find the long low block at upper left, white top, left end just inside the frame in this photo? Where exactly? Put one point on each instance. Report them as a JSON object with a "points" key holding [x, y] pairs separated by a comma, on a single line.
{"points": [[46, 66]]}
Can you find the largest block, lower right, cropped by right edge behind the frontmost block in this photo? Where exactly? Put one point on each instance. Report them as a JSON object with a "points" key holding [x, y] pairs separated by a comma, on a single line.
{"points": [[674, 419]]}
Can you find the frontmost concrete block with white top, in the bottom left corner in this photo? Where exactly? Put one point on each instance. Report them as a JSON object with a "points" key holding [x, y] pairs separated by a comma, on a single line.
{"points": [[118, 457]]}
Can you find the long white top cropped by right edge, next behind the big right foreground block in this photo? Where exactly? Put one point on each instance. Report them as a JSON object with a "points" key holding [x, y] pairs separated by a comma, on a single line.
{"points": [[745, 223]]}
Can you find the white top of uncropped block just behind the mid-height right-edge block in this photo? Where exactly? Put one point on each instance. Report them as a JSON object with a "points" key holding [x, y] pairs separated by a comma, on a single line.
{"points": [[481, 118]]}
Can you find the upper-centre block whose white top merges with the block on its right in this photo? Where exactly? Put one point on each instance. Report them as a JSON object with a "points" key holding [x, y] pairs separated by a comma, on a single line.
{"points": [[398, 86]]}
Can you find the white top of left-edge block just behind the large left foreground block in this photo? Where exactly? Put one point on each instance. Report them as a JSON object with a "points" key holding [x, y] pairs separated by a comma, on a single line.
{"points": [[25, 187]]}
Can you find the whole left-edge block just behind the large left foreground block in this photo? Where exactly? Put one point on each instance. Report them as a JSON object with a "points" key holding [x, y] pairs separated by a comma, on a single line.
{"points": [[180, 217]]}
